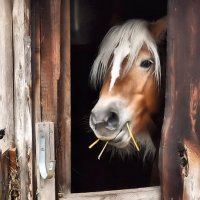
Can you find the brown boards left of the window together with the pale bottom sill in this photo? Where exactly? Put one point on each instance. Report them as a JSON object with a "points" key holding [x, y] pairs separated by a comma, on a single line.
{"points": [[51, 68]]}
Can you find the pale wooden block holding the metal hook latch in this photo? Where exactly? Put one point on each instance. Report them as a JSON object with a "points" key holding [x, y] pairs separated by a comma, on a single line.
{"points": [[45, 150]]}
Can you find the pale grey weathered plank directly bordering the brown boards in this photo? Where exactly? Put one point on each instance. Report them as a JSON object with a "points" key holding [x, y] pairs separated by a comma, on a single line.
{"points": [[22, 94]]}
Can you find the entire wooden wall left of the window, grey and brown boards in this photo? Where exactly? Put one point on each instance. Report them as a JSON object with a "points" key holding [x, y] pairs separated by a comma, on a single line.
{"points": [[33, 90]]}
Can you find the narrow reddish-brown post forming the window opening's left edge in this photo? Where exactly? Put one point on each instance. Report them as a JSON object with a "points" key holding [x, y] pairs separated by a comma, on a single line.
{"points": [[63, 143]]}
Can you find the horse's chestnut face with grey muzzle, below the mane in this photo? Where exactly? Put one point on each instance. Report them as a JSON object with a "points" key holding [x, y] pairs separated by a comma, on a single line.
{"points": [[133, 98]]}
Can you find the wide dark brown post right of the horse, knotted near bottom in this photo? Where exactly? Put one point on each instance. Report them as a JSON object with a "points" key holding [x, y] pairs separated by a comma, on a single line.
{"points": [[181, 124]]}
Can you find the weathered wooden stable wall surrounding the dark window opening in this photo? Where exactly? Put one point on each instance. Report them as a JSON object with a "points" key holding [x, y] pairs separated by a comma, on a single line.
{"points": [[36, 87]]}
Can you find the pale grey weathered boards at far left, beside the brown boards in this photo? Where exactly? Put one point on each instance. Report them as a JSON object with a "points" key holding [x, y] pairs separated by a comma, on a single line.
{"points": [[15, 98]]}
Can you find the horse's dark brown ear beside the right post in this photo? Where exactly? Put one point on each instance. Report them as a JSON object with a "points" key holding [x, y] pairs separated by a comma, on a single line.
{"points": [[158, 29]]}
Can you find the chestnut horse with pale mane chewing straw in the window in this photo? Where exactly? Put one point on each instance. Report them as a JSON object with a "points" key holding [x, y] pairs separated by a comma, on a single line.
{"points": [[128, 71]]}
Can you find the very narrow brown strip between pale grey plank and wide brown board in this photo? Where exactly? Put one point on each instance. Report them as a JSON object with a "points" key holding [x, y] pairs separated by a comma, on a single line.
{"points": [[35, 32]]}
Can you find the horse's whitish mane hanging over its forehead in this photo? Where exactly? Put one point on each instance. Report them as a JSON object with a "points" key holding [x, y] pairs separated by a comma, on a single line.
{"points": [[122, 41]]}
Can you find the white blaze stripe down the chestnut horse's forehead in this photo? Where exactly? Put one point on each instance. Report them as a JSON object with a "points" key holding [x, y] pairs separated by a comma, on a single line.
{"points": [[119, 54]]}
